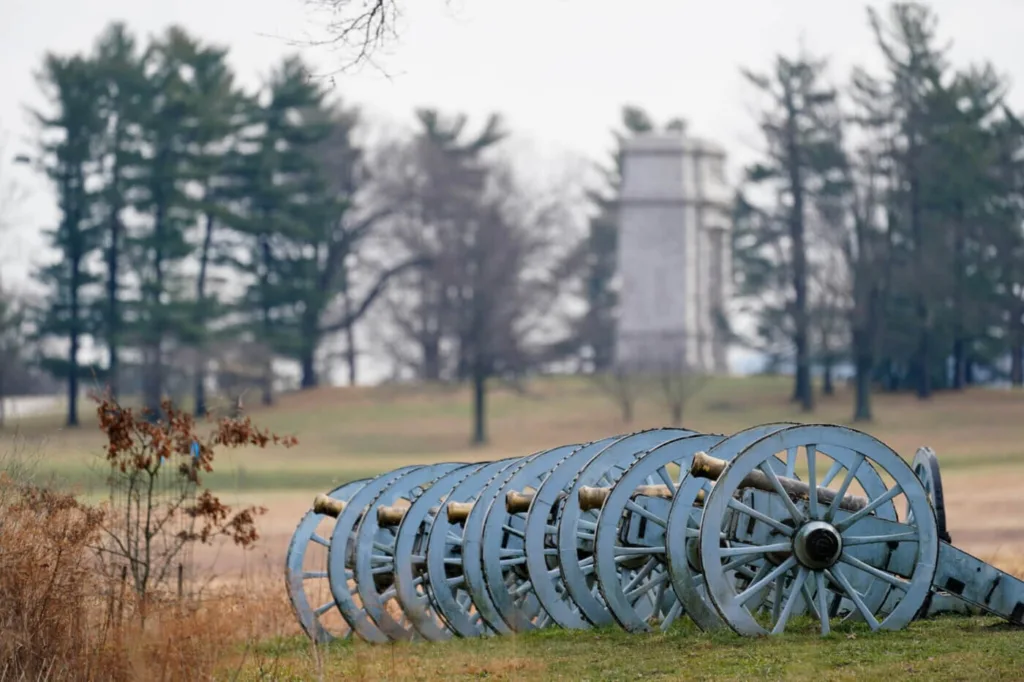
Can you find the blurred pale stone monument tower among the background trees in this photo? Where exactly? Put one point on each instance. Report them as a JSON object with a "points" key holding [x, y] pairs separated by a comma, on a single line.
{"points": [[674, 254]]}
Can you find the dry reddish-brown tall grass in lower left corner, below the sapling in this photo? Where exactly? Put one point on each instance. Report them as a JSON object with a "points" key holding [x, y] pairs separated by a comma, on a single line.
{"points": [[62, 619]]}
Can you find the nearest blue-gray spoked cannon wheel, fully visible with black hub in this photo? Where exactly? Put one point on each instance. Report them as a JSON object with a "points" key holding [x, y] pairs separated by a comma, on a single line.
{"points": [[822, 546]]}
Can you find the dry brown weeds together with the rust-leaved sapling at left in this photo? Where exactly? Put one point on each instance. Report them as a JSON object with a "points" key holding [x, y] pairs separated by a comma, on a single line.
{"points": [[87, 590]]}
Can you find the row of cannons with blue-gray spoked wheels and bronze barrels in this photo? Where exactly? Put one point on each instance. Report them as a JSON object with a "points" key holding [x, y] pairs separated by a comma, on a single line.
{"points": [[778, 525]]}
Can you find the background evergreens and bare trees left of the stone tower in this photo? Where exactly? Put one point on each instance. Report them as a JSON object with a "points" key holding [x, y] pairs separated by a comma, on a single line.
{"points": [[206, 231]]}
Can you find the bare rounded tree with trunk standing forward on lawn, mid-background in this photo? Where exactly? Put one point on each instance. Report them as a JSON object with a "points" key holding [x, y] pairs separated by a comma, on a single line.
{"points": [[480, 309]]}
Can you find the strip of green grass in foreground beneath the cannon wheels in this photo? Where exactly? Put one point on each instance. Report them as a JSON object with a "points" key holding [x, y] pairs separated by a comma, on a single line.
{"points": [[948, 649]]}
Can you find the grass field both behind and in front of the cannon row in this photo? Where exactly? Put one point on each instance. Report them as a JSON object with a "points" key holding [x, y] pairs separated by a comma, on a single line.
{"points": [[351, 434]]}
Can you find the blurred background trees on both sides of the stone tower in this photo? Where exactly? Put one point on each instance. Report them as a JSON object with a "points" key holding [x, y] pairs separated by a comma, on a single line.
{"points": [[207, 232]]}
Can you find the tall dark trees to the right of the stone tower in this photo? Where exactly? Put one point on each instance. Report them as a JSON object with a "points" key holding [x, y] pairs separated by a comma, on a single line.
{"points": [[883, 225]]}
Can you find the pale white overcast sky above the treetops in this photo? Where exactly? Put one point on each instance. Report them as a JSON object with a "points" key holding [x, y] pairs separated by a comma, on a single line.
{"points": [[559, 70]]}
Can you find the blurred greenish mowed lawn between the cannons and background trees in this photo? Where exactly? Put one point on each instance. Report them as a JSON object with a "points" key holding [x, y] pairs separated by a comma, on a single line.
{"points": [[347, 434]]}
